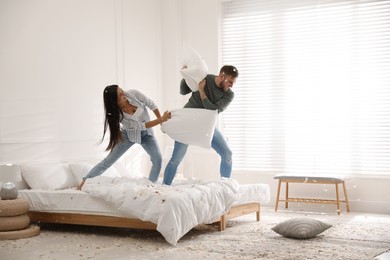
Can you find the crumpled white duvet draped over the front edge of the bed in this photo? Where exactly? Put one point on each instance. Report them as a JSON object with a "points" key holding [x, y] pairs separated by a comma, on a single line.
{"points": [[175, 209]]}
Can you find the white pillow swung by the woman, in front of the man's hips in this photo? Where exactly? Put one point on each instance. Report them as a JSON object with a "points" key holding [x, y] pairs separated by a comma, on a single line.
{"points": [[192, 126]]}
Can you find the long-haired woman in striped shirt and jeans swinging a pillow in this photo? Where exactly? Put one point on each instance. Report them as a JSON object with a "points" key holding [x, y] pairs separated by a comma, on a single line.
{"points": [[129, 123]]}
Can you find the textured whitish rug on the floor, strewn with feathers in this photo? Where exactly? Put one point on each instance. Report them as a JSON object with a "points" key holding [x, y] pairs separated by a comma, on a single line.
{"points": [[352, 236]]}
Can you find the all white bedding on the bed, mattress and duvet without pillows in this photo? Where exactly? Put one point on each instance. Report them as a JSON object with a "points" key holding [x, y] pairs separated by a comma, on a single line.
{"points": [[185, 206]]}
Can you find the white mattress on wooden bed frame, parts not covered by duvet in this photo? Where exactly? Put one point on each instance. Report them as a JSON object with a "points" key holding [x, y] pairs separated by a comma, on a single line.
{"points": [[74, 201]]}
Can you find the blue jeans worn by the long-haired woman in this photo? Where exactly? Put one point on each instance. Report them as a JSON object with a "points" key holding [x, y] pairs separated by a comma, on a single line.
{"points": [[150, 145]]}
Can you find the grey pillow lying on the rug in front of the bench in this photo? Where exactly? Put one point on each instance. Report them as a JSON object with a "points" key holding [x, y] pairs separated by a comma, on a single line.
{"points": [[301, 228]]}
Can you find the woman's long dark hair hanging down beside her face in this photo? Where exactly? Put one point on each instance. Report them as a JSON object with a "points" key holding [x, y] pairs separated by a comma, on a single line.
{"points": [[113, 116]]}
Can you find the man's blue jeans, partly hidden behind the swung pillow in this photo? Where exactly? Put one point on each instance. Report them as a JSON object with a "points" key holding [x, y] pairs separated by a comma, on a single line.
{"points": [[218, 143]]}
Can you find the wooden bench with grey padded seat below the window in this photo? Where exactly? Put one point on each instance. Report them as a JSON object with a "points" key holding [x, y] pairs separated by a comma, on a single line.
{"points": [[313, 179]]}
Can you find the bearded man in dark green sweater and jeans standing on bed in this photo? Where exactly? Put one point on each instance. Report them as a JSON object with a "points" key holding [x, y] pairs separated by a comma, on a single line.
{"points": [[214, 93]]}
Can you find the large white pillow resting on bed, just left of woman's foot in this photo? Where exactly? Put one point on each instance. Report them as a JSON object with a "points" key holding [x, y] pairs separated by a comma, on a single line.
{"points": [[52, 176]]}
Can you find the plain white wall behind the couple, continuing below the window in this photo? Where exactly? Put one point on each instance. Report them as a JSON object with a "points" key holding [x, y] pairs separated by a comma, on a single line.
{"points": [[57, 56]]}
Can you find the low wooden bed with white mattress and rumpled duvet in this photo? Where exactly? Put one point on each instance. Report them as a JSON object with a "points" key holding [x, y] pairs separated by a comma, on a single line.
{"points": [[118, 201]]}
